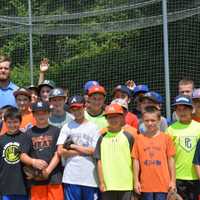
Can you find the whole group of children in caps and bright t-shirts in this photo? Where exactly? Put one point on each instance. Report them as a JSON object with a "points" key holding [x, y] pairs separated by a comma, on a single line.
{"points": [[55, 148]]}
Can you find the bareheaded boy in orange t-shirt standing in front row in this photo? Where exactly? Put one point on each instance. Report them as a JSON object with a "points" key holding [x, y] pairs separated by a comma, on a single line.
{"points": [[154, 167]]}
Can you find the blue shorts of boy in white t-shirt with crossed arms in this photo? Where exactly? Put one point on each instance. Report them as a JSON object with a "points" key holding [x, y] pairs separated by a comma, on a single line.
{"points": [[80, 192]]}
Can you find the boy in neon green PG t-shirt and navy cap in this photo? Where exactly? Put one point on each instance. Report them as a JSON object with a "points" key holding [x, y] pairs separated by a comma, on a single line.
{"points": [[185, 133]]}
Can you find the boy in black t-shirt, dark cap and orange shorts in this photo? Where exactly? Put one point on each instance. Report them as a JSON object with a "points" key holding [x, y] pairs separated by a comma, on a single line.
{"points": [[39, 153]]}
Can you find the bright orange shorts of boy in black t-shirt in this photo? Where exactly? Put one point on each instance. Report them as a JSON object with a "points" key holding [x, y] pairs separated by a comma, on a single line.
{"points": [[44, 192]]}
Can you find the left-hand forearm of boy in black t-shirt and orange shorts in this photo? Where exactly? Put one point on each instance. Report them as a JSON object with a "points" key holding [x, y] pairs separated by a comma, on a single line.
{"points": [[36, 163]]}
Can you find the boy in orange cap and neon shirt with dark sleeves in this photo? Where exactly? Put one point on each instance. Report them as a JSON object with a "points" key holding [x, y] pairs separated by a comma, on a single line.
{"points": [[113, 154]]}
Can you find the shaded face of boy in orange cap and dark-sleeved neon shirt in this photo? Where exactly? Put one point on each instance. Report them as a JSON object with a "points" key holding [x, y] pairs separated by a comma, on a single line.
{"points": [[115, 121]]}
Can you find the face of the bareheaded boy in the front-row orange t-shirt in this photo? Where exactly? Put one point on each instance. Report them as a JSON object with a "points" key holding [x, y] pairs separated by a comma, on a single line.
{"points": [[151, 122]]}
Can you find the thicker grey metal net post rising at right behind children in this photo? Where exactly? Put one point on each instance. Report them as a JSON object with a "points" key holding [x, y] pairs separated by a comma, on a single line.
{"points": [[166, 58]]}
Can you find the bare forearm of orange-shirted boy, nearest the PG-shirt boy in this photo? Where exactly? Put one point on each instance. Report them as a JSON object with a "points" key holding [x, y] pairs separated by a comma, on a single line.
{"points": [[172, 170]]}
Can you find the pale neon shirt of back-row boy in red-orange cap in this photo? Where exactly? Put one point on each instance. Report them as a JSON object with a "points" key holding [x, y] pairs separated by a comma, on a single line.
{"points": [[99, 120]]}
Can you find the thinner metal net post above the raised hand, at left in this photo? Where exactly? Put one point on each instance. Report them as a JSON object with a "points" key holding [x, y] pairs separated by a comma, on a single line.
{"points": [[30, 42]]}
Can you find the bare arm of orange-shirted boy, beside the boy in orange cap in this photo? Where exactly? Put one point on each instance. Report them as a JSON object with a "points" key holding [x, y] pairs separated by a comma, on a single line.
{"points": [[136, 171]]}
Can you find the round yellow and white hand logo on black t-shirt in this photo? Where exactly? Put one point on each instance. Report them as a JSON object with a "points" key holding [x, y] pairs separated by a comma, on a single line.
{"points": [[11, 153]]}
